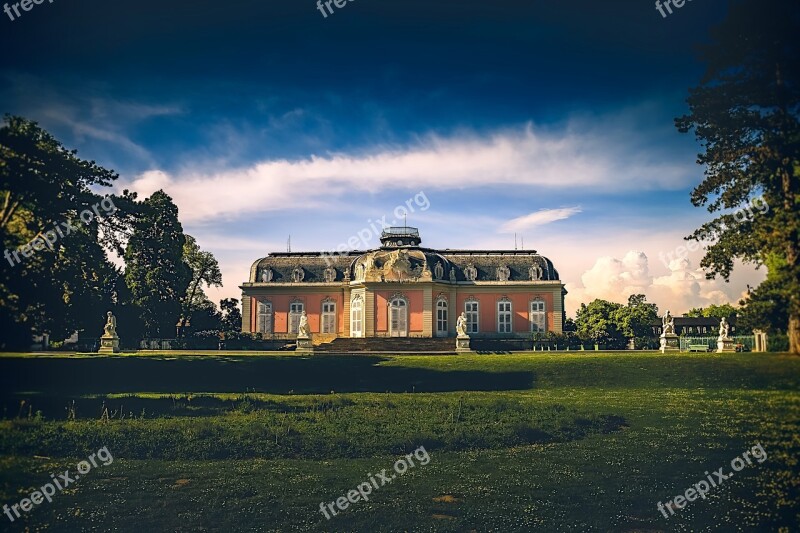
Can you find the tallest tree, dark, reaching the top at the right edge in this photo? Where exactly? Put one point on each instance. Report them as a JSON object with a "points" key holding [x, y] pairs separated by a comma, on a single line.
{"points": [[745, 114]]}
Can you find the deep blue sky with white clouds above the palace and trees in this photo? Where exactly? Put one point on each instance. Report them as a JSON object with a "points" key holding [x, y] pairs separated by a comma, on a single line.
{"points": [[487, 125]]}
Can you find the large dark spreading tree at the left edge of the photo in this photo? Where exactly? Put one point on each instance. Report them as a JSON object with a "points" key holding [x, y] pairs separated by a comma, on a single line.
{"points": [[60, 280]]}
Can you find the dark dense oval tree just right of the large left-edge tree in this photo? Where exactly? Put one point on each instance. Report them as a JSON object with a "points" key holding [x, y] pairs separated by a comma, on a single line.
{"points": [[155, 271]]}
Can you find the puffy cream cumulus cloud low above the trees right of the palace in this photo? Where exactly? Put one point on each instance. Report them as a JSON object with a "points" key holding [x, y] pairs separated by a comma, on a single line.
{"points": [[680, 290]]}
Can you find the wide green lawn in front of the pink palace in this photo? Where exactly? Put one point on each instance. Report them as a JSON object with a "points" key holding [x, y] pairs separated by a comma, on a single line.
{"points": [[545, 441]]}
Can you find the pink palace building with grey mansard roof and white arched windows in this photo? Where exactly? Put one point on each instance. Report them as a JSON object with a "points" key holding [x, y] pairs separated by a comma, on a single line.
{"points": [[403, 290]]}
